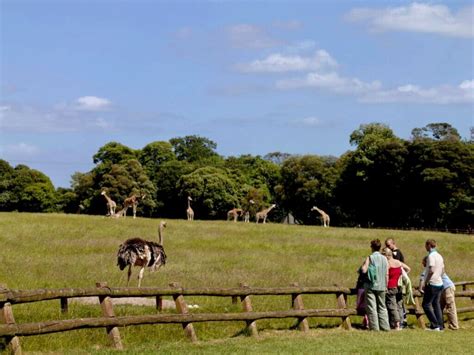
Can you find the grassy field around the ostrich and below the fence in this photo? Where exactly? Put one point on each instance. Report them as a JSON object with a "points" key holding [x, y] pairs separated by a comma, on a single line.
{"points": [[57, 251]]}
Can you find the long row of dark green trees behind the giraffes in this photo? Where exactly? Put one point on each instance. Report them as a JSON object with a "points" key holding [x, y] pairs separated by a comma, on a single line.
{"points": [[385, 181]]}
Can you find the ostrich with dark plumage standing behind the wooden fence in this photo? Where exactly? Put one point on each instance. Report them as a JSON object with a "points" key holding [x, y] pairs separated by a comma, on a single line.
{"points": [[143, 253]]}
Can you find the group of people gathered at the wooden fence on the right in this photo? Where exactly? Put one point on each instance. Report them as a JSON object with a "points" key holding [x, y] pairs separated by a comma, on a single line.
{"points": [[384, 287]]}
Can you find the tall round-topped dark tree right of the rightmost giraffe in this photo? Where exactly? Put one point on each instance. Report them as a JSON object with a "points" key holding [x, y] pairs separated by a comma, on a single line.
{"points": [[369, 189]]}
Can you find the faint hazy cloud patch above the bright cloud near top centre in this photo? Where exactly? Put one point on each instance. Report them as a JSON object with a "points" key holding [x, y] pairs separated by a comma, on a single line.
{"points": [[250, 36]]}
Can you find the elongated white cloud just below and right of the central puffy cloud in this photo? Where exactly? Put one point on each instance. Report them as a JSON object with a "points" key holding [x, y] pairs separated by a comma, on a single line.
{"points": [[329, 81]]}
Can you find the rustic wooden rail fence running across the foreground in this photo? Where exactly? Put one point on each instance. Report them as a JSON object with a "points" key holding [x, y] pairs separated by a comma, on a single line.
{"points": [[11, 331]]}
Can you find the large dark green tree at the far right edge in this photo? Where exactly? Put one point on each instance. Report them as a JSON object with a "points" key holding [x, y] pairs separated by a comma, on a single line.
{"points": [[439, 189]]}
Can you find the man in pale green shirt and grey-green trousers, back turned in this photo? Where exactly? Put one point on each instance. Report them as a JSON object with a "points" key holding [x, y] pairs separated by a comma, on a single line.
{"points": [[376, 267]]}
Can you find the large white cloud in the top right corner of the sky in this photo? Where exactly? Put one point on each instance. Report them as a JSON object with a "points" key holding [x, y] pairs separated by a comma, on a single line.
{"points": [[418, 17]]}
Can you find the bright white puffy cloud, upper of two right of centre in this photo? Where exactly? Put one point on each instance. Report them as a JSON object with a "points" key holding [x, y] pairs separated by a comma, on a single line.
{"points": [[278, 63]]}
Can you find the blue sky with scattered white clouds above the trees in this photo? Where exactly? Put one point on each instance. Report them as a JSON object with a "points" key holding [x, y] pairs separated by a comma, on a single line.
{"points": [[254, 76]]}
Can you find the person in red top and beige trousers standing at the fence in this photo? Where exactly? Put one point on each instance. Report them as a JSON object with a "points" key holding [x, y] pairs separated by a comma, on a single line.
{"points": [[394, 297]]}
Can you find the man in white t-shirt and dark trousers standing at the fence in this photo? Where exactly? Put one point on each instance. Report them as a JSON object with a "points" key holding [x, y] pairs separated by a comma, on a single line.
{"points": [[432, 286]]}
